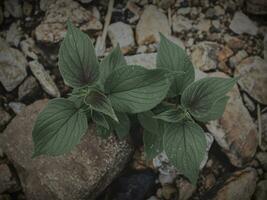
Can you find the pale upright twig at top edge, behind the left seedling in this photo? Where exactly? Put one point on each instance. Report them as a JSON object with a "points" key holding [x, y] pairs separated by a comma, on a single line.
{"points": [[100, 42]]}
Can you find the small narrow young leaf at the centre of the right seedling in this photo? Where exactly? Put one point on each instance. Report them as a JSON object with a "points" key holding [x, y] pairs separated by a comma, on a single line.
{"points": [[171, 115]]}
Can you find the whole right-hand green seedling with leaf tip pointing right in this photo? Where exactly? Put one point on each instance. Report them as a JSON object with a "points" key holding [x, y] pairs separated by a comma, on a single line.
{"points": [[172, 127]]}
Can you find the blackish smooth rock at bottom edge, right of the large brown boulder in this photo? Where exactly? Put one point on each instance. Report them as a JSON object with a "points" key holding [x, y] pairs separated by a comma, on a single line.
{"points": [[134, 186]]}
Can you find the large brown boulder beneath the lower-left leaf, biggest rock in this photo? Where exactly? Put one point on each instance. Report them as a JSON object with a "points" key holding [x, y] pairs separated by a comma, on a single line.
{"points": [[81, 174]]}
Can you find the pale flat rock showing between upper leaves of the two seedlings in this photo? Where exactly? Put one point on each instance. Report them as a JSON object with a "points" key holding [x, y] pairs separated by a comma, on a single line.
{"points": [[147, 60]]}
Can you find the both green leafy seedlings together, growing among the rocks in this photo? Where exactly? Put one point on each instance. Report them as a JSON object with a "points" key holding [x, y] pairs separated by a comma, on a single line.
{"points": [[166, 99]]}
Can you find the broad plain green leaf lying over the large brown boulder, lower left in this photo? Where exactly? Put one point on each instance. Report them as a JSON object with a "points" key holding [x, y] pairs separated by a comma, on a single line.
{"points": [[58, 128]]}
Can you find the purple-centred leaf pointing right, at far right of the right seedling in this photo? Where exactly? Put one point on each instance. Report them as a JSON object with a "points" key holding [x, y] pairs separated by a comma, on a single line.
{"points": [[200, 96]]}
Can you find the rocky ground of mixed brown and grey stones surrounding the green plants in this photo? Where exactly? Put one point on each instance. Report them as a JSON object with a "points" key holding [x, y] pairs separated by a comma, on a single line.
{"points": [[223, 38]]}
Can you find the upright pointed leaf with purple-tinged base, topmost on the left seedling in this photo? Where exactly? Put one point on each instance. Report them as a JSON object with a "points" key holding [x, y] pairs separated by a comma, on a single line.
{"points": [[78, 63]]}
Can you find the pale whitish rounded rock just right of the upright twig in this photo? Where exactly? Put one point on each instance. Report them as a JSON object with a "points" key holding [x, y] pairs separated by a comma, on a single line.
{"points": [[122, 34]]}
